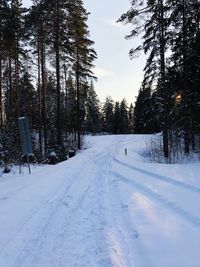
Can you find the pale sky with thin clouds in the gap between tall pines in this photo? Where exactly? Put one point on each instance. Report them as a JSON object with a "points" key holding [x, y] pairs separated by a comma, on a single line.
{"points": [[118, 76]]}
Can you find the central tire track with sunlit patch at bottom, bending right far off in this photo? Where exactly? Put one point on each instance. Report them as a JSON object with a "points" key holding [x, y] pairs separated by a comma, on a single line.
{"points": [[122, 238]]}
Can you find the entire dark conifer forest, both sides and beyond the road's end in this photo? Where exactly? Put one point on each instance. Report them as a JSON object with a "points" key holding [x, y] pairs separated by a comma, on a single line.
{"points": [[46, 74]]}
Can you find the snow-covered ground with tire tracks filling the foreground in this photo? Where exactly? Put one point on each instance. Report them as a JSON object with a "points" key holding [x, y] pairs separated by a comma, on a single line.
{"points": [[102, 209]]}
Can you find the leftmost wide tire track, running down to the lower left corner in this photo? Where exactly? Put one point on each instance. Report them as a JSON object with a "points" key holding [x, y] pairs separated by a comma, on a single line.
{"points": [[36, 230]]}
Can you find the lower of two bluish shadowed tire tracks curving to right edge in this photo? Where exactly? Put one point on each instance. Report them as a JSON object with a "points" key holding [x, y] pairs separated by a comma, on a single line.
{"points": [[172, 206]]}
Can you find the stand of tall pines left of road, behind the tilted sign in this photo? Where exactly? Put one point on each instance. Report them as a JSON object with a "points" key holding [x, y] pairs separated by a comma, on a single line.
{"points": [[46, 60]]}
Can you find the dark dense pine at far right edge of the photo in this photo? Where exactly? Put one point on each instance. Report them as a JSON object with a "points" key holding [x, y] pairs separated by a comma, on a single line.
{"points": [[185, 57]]}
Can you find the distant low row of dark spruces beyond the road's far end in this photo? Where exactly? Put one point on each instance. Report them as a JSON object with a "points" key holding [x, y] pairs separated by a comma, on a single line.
{"points": [[108, 117]]}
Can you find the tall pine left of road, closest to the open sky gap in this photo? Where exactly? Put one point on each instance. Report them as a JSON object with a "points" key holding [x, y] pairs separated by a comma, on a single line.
{"points": [[82, 53]]}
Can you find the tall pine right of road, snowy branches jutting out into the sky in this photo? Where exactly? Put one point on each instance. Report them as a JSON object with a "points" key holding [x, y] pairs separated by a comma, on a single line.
{"points": [[151, 18]]}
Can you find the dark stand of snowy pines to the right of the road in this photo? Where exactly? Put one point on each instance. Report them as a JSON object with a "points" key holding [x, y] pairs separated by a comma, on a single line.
{"points": [[169, 98]]}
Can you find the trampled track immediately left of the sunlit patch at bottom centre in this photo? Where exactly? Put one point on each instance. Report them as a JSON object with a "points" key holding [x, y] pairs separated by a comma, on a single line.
{"points": [[90, 217]]}
